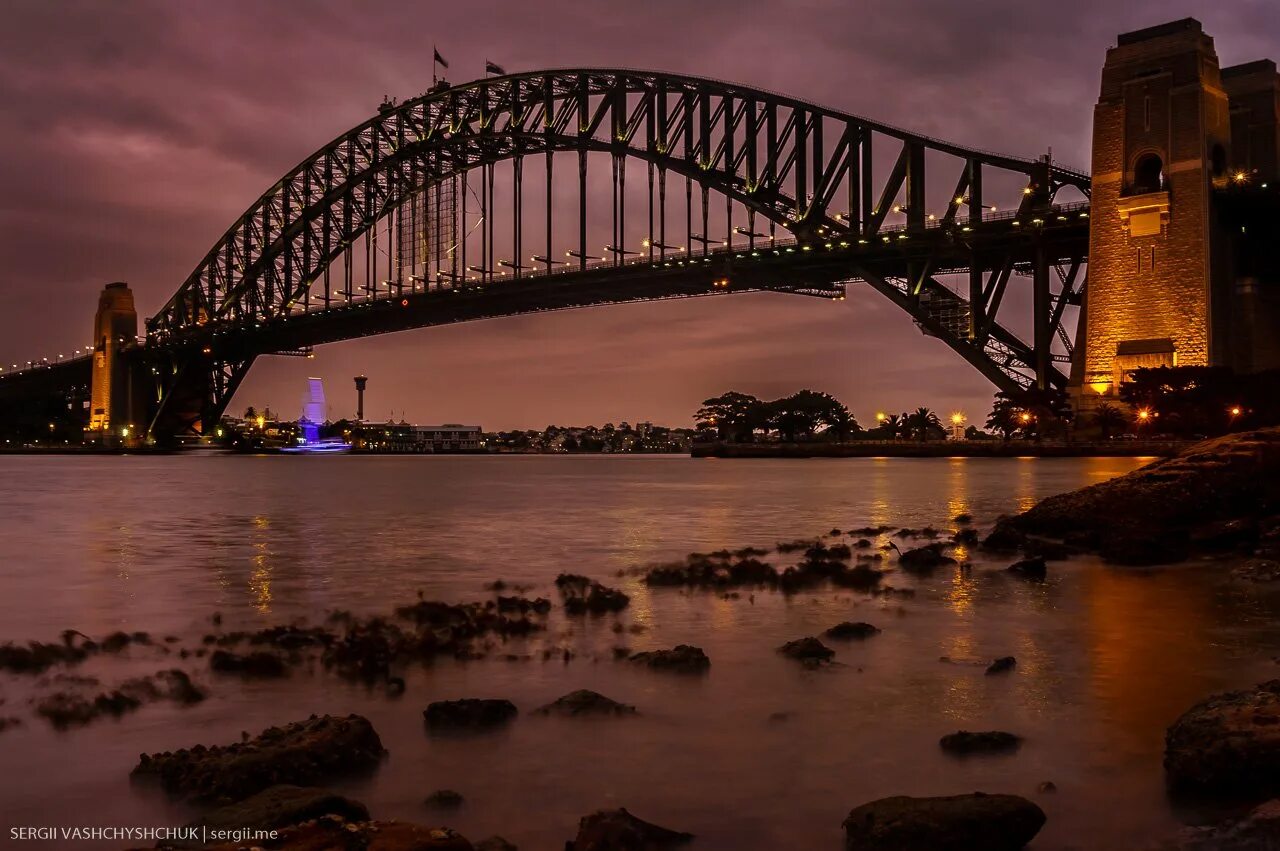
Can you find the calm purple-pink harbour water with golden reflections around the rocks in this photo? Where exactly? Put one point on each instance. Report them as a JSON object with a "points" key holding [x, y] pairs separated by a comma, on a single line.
{"points": [[1107, 658]]}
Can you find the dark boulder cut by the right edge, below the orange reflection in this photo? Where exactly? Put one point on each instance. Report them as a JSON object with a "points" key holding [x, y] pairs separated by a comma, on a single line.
{"points": [[1228, 744]]}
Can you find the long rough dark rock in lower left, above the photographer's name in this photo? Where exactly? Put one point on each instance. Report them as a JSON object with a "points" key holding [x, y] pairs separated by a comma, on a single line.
{"points": [[304, 754]]}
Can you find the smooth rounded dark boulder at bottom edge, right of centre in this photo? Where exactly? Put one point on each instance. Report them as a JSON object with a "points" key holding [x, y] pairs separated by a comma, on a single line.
{"points": [[958, 823]]}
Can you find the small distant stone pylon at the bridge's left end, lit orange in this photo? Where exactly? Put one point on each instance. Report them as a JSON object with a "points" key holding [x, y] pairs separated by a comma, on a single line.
{"points": [[116, 326]]}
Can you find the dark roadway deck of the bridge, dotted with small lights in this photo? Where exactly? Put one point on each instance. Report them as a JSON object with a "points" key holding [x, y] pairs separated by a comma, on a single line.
{"points": [[900, 260]]}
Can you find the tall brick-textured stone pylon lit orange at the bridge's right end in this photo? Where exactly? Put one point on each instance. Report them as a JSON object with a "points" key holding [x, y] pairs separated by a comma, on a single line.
{"points": [[1162, 143]]}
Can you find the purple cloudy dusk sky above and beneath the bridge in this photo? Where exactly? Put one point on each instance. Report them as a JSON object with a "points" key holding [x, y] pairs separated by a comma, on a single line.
{"points": [[136, 132]]}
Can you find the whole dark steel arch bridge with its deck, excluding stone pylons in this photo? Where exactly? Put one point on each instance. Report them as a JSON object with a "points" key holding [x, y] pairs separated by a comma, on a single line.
{"points": [[807, 200]]}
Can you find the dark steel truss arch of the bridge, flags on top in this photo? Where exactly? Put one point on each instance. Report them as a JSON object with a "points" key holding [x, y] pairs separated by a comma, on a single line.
{"points": [[817, 175]]}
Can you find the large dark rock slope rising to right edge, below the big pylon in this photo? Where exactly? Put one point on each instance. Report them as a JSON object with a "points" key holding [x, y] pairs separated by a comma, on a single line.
{"points": [[1205, 500]]}
